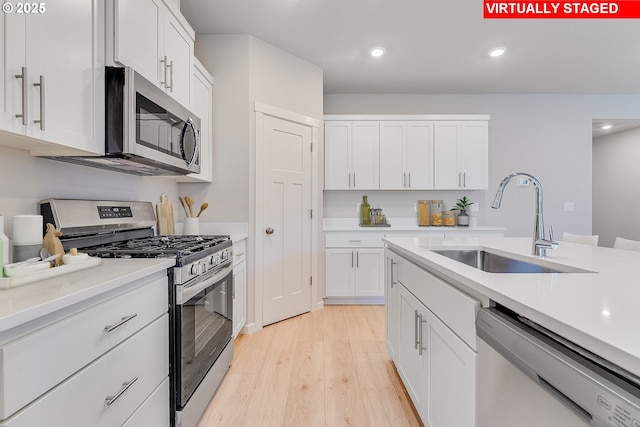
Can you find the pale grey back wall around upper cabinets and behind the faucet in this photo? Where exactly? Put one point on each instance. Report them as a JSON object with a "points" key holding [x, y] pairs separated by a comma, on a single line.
{"points": [[548, 136]]}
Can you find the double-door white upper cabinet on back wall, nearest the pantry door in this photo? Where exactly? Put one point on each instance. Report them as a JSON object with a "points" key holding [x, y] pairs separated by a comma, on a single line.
{"points": [[352, 155]]}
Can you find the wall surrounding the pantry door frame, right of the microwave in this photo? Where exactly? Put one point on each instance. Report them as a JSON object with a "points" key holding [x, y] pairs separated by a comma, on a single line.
{"points": [[247, 70]]}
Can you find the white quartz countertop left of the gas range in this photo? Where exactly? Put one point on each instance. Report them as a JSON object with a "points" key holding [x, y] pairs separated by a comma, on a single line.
{"points": [[29, 302]]}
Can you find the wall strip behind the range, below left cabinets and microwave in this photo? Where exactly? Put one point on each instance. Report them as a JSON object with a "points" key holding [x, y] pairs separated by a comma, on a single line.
{"points": [[26, 180]]}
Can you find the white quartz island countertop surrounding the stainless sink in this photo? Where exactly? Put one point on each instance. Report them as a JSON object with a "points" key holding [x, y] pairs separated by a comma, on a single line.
{"points": [[598, 310]]}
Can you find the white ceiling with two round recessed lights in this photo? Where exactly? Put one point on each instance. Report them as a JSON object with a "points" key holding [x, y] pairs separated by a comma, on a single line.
{"points": [[434, 46]]}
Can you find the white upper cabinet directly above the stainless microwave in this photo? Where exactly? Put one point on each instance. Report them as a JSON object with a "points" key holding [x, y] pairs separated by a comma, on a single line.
{"points": [[160, 46]]}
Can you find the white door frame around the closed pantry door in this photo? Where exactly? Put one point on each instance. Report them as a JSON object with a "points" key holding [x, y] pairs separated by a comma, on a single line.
{"points": [[262, 110]]}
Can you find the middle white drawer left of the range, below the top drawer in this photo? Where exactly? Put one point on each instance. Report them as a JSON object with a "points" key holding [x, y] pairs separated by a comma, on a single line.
{"points": [[82, 399]]}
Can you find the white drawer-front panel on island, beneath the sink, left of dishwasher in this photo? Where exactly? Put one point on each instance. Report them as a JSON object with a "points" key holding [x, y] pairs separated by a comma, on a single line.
{"points": [[454, 308]]}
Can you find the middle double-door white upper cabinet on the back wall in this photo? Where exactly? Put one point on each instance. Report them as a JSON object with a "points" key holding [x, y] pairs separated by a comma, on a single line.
{"points": [[406, 155]]}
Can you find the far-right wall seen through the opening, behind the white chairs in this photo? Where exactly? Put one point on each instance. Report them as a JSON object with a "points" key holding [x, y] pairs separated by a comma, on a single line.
{"points": [[615, 181]]}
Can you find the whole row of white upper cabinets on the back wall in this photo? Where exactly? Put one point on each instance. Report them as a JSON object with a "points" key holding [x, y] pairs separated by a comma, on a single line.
{"points": [[420, 152]]}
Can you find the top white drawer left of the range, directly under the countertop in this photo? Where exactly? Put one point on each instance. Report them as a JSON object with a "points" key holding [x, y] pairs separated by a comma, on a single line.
{"points": [[37, 362]]}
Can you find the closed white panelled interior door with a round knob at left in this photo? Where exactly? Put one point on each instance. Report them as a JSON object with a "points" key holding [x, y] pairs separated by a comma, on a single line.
{"points": [[286, 267]]}
